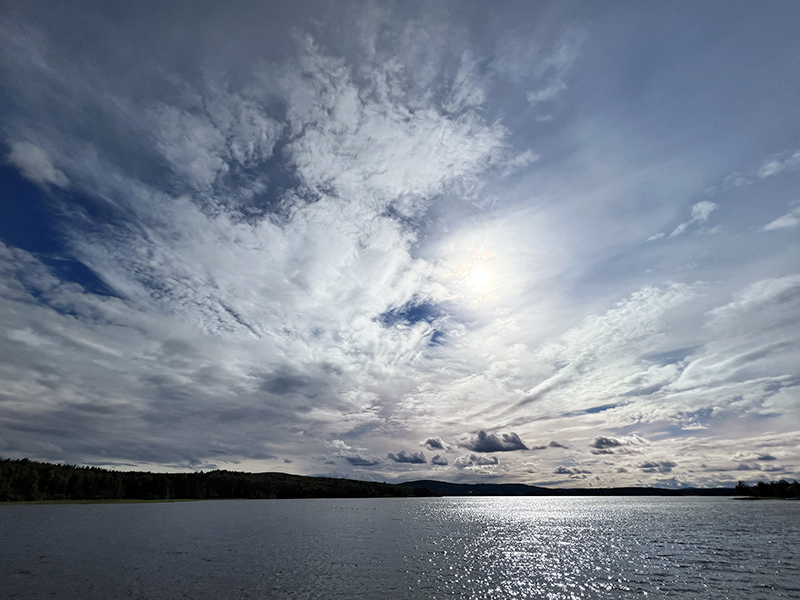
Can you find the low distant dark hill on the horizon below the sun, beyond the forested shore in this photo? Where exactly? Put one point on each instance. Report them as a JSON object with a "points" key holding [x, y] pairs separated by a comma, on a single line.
{"points": [[442, 488]]}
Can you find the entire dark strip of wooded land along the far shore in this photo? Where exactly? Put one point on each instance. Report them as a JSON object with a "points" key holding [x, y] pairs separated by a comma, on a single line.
{"points": [[27, 480]]}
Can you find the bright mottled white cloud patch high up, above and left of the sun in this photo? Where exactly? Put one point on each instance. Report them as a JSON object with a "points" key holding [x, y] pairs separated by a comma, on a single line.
{"points": [[373, 149]]}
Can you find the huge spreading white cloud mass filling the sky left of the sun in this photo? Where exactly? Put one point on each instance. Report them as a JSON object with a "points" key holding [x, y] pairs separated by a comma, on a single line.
{"points": [[207, 258]]}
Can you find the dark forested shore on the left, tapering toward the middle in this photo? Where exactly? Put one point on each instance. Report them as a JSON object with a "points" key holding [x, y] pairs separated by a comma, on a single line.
{"points": [[27, 480]]}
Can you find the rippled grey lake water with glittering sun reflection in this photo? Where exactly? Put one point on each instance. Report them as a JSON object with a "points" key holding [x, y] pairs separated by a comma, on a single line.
{"points": [[405, 548]]}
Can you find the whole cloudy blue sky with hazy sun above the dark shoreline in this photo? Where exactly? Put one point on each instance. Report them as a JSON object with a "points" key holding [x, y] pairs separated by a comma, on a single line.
{"points": [[554, 243]]}
